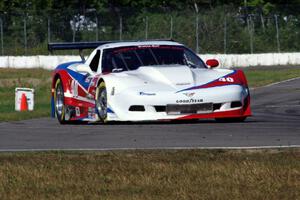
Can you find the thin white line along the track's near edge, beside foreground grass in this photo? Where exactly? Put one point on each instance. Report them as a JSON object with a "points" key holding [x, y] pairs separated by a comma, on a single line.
{"points": [[155, 148]]}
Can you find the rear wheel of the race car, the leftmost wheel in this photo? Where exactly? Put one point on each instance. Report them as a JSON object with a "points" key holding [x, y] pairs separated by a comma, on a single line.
{"points": [[59, 101]]}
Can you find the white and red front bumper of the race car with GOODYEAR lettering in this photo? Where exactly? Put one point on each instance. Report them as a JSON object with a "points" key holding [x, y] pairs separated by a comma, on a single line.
{"points": [[227, 102]]}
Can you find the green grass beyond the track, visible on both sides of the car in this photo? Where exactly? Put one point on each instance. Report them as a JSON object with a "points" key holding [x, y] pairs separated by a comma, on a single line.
{"points": [[40, 80]]}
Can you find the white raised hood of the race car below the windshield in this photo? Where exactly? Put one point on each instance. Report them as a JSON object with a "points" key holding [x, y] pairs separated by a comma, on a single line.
{"points": [[166, 77]]}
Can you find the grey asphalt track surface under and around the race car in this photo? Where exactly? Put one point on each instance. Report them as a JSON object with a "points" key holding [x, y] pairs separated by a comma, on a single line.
{"points": [[275, 123]]}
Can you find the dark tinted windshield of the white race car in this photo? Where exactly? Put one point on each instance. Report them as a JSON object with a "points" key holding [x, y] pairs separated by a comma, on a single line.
{"points": [[133, 57]]}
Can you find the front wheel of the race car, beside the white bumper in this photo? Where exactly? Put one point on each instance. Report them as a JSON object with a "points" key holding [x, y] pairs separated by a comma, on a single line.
{"points": [[101, 102]]}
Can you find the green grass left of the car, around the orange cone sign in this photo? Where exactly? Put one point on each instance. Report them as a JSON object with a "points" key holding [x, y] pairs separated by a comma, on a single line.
{"points": [[38, 79]]}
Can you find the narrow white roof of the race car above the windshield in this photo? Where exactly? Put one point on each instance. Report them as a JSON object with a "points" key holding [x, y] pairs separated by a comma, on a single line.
{"points": [[137, 43]]}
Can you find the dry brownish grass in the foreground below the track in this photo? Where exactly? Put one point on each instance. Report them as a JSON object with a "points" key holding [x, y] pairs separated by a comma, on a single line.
{"points": [[184, 174]]}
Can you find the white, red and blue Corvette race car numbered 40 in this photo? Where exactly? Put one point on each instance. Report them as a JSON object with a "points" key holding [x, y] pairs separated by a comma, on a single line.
{"points": [[145, 81]]}
